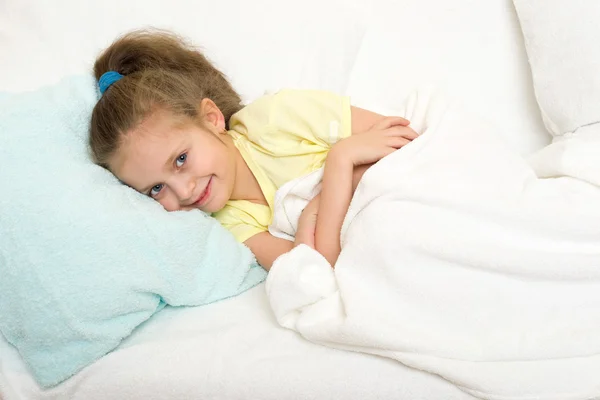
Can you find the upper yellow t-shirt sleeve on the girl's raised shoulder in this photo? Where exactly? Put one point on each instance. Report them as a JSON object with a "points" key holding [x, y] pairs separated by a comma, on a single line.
{"points": [[290, 118]]}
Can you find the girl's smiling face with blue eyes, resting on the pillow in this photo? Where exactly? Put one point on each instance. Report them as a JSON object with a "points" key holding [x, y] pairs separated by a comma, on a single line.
{"points": [[182, 166]]}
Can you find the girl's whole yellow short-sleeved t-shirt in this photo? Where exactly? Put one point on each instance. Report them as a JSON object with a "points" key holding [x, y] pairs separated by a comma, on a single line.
{"points": [[281, 137]]}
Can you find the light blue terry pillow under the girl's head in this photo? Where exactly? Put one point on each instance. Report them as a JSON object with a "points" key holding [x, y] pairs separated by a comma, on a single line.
{"points": [[84, 259]]}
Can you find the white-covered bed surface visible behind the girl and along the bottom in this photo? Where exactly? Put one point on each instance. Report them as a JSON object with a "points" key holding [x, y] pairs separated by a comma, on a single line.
{"points": [[376, 52]]}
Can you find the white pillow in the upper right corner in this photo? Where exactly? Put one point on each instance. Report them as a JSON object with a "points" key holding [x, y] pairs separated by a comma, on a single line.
{"points": [[561, 39]]}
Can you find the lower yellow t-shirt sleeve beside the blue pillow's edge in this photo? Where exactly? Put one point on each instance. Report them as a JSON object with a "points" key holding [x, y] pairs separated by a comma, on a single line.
{"points": [[243, 219]]}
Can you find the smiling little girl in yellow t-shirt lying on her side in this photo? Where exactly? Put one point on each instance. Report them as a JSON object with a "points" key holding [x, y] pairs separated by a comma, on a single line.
{"points": [[170, 126]]}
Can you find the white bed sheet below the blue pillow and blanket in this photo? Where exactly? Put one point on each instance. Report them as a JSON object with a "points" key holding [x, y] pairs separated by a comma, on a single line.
{"points": [[229, 350]]}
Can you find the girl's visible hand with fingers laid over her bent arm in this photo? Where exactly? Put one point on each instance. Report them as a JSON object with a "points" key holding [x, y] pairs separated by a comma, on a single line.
{"points": [[382, 139]]}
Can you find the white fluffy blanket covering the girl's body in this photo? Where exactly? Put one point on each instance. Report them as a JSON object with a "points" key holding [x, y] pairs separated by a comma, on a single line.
{"points": [[459, 260]]}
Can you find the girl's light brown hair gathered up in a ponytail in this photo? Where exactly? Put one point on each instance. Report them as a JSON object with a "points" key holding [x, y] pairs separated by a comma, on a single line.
{"points": [[160, 71]]}
